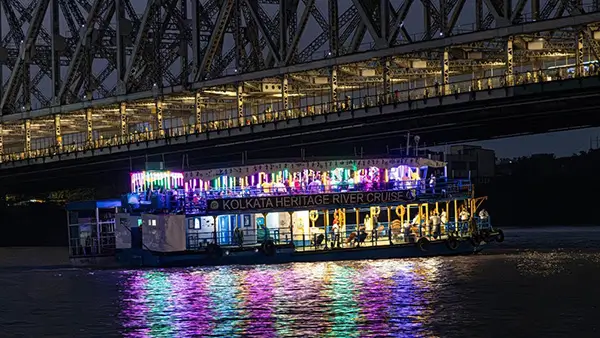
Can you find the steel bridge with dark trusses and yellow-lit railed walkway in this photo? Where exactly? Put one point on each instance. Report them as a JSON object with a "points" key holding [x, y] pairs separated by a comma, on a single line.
{"points": [[91, 76]]}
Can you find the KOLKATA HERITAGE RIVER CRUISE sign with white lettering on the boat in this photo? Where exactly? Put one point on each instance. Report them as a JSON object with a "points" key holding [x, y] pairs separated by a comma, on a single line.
{"points": [[306, 202]]}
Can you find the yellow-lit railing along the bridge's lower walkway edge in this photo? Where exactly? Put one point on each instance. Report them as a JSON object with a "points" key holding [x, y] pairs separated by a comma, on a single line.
{"points": [[369, 96]]}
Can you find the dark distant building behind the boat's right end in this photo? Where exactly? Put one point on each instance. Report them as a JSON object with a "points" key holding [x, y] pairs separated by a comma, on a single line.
{"points": [[471, 161]]}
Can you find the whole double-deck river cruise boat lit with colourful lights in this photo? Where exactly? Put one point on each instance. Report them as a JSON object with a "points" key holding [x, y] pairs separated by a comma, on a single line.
{"points": [[283, 212]]}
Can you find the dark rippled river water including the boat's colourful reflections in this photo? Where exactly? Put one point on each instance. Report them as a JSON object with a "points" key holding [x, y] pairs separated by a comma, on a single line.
{"points": [[540, 282]]}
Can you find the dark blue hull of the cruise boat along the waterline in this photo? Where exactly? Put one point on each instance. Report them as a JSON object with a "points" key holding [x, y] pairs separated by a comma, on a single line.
{"points": [[144, 258]]}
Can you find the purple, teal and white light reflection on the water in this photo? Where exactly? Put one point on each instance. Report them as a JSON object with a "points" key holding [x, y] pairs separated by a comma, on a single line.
{"points": [[346, 299]]}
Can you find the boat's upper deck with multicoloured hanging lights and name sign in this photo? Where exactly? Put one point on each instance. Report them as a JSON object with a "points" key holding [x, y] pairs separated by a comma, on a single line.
{"points": [[290, 186]]}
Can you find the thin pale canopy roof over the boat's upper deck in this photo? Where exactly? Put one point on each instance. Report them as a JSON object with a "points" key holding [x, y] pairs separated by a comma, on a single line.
{"points": [[243, 171]]}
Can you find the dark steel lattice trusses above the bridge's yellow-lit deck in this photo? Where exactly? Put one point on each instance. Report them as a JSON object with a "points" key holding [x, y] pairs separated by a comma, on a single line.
{"points": [[58, 52]]}
